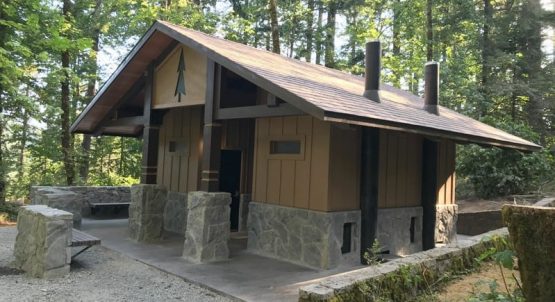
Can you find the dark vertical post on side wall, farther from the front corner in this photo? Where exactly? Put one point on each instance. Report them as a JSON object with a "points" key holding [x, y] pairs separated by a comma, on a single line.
{"points": [[429, 193]]}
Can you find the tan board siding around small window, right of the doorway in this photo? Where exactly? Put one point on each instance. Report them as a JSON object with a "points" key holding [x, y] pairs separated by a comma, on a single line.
{"points": [[305, 180]]}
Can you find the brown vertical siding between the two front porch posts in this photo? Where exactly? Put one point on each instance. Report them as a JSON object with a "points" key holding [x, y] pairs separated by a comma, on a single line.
{"points": [[179, 171]]}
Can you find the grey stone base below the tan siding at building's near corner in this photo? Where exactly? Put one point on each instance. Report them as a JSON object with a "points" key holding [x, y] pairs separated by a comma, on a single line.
{"points": [[305, 237]]}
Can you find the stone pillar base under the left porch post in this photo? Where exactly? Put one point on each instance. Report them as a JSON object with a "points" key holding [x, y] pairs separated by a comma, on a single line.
{"points": [[146, 212]]}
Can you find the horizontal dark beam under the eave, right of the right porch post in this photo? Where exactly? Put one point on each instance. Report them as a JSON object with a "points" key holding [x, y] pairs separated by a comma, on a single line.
{"points": [[257, 111]]}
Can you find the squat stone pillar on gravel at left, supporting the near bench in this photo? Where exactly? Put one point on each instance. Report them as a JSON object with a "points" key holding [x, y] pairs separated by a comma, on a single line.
{"points": [[42, 246]]}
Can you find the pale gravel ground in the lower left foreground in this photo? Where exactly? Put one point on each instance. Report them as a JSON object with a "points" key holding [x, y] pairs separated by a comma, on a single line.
{"points": [[98, 274]]}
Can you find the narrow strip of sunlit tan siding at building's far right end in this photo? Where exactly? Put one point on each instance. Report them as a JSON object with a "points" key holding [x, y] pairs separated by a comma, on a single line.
{"points": [[446, 172]]}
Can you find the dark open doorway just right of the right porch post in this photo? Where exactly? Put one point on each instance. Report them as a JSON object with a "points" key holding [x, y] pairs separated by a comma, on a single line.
{"points": [[230, 181]]}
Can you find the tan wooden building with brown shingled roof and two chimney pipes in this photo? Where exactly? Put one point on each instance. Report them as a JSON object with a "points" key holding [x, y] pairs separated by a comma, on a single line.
{"points": [[320, 161]]}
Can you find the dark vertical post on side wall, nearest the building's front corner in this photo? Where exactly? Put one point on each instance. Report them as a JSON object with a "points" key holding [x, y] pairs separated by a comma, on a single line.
{"points": [[369, 162]]}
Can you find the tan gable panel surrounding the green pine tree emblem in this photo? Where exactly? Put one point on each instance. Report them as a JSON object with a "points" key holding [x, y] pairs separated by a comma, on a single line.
{"points": [[165, 80]]}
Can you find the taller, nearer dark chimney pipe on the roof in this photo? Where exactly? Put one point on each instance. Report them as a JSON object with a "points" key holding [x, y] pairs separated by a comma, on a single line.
{"points": [[372, 70]]}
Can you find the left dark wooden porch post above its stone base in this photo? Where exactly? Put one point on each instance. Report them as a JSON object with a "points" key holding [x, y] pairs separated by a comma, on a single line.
{"points": [[150, 133]]}
